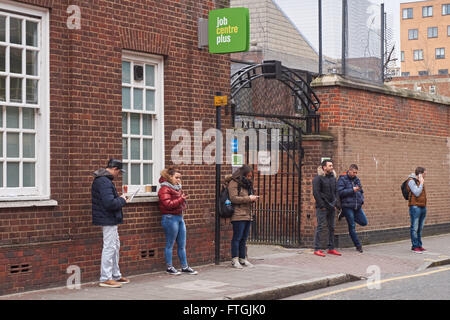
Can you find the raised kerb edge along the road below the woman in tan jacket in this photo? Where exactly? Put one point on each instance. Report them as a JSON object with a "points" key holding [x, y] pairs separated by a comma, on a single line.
{"points": [[280, 292]]}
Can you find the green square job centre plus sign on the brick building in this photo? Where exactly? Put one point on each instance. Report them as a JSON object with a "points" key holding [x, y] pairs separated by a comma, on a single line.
{"points": [[228, 30]]}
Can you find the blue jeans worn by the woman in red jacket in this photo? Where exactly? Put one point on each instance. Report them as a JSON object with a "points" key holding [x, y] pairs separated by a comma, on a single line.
{"points": [[175, 230]]}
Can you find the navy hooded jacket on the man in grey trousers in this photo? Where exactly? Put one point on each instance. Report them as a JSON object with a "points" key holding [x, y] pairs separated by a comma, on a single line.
{"points": [[106, 202]]}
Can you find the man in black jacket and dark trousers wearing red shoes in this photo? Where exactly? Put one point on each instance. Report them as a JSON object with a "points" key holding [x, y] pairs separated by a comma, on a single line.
{"points": [[325, 194]]}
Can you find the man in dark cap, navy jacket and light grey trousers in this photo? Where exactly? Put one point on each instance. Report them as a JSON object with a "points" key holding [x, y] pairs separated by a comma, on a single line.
{"points": [[107, 213]]}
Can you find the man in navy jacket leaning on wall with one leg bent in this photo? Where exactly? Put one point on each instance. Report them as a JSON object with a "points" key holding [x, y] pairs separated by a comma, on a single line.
{"points": [[352, 198]]}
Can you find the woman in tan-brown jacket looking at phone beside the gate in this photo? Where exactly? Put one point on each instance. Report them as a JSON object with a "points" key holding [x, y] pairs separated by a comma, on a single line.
{"points": [[240, 189]]}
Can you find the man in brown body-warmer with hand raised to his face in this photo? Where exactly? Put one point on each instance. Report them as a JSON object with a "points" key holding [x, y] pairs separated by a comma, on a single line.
{"points": [[417, 202]]}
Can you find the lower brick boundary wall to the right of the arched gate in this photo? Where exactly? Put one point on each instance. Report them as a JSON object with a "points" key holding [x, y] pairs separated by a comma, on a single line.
{"points": [[388, 134]]}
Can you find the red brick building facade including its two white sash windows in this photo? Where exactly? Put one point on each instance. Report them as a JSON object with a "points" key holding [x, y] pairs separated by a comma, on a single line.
{"points": [[86, 50]]}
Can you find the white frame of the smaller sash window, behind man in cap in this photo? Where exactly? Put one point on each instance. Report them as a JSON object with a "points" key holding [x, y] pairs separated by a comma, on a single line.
{"points": [[157, 115]]}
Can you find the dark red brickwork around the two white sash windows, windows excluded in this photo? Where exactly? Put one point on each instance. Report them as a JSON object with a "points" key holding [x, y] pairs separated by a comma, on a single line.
{"points": [[85, 130]]}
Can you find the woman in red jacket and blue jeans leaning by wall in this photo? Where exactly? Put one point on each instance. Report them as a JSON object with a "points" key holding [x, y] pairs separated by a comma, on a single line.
{"points": [[172, 202]]}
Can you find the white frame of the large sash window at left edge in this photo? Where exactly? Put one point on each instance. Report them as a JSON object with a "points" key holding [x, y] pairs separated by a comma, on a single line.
{"points": [[41, 189]]}
